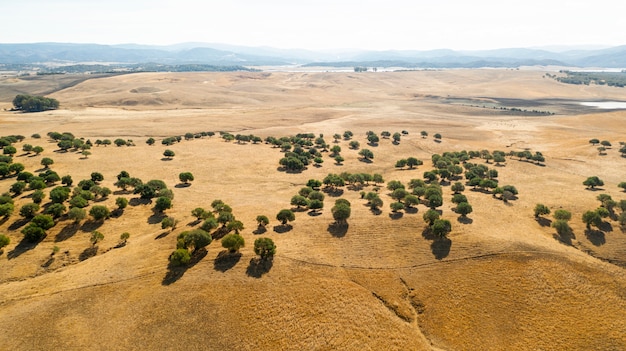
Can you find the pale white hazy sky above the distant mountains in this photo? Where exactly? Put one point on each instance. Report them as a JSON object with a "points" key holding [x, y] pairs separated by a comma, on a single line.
{"points": [[319, 24]]}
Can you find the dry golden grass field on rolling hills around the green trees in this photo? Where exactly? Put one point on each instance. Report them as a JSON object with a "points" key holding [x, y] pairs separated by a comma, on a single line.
{"points": [[500, 282]]}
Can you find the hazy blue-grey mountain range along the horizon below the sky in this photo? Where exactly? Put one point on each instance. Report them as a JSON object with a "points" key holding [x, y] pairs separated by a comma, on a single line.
{"points": [[221, 54]]}
